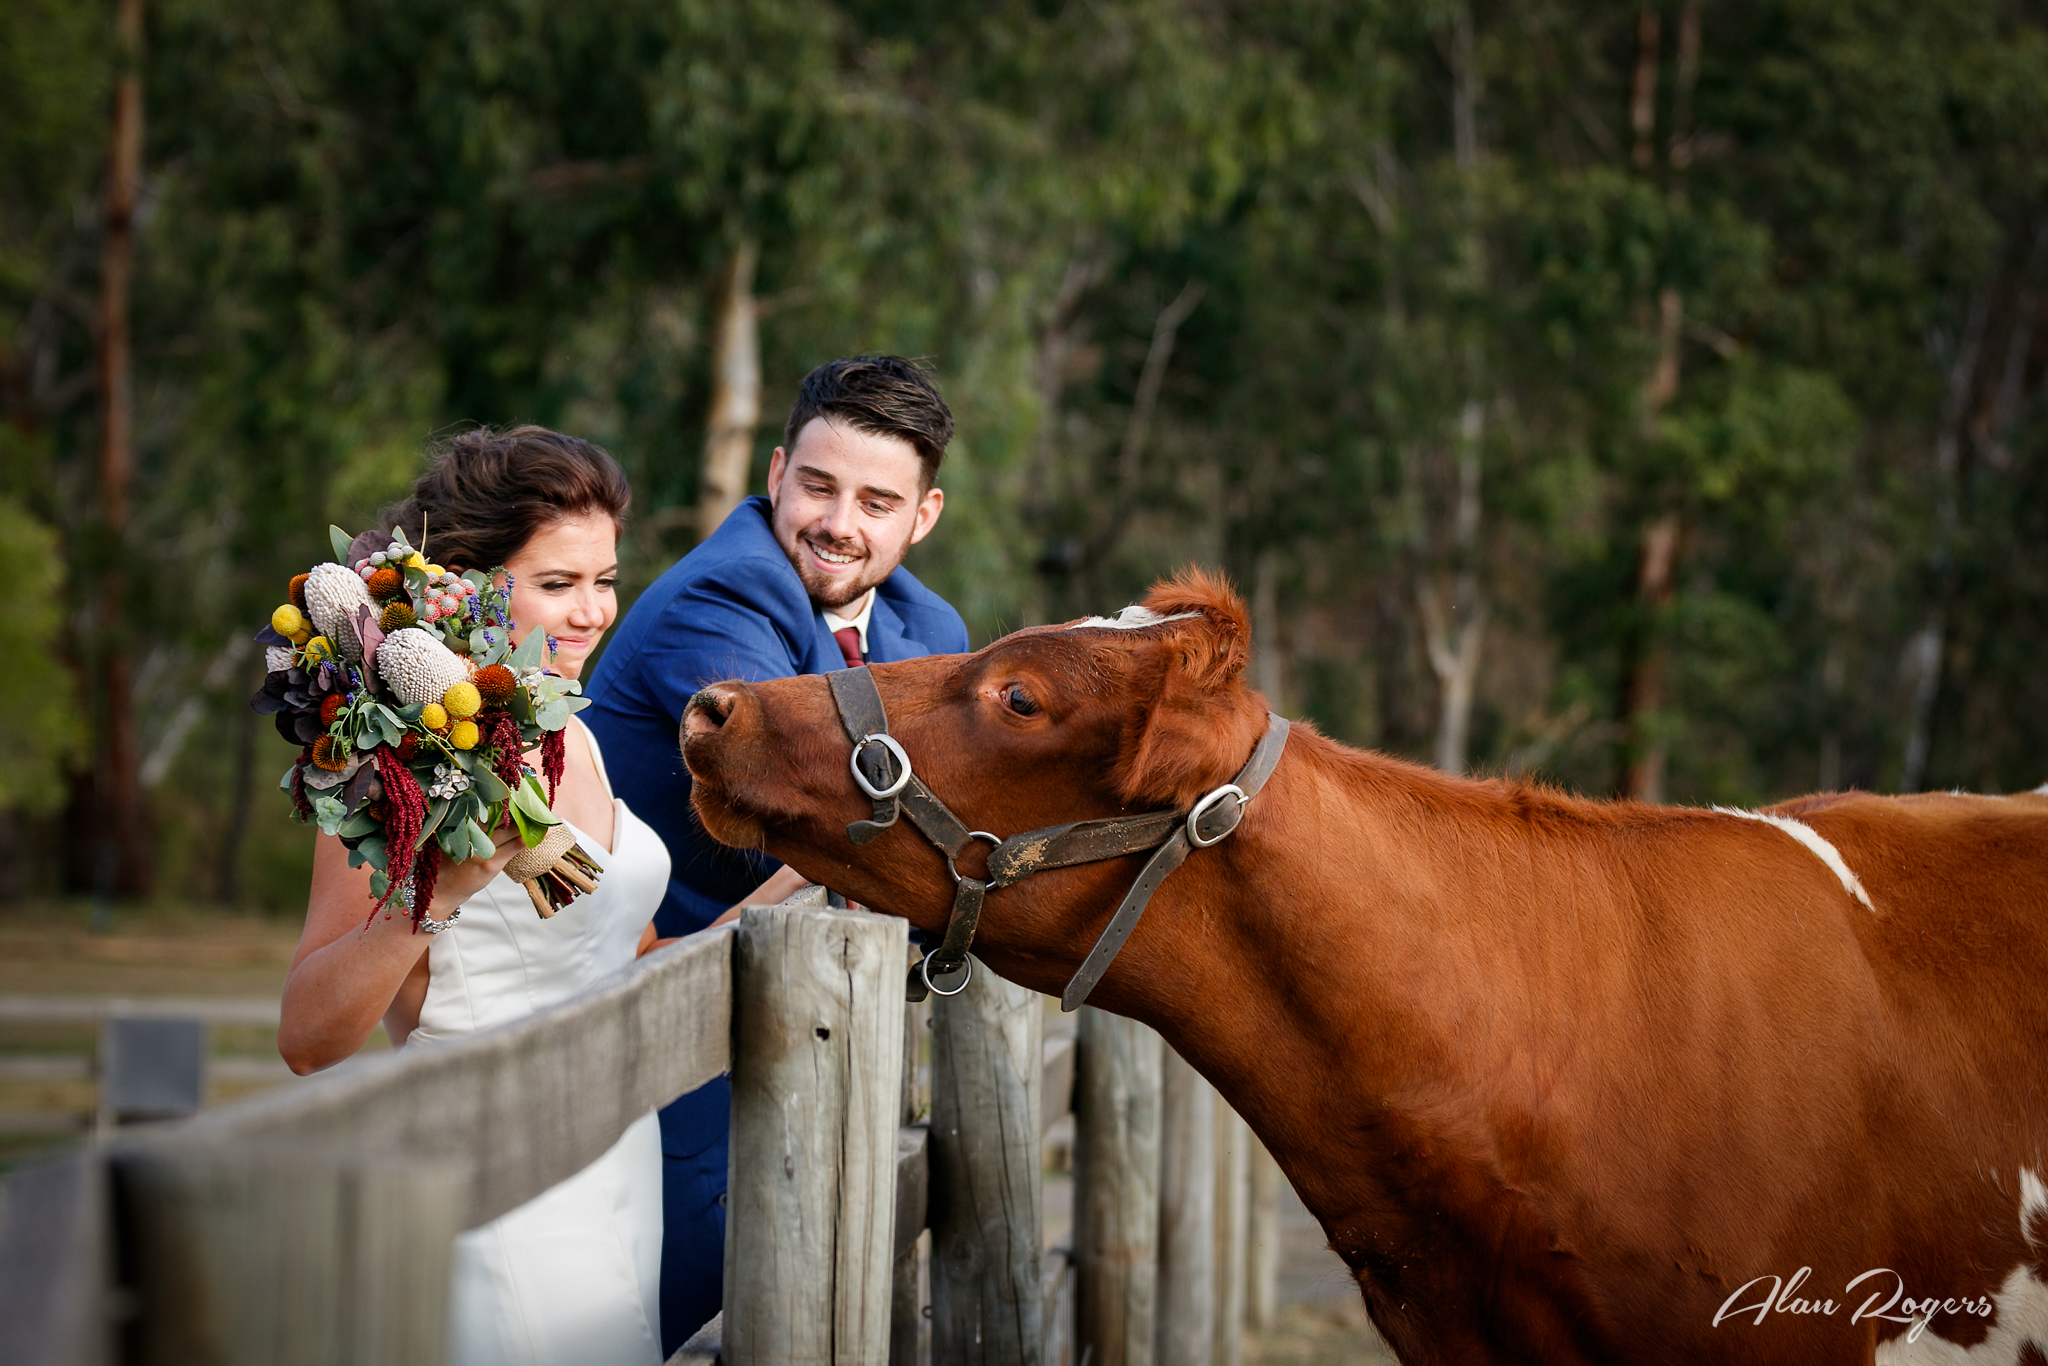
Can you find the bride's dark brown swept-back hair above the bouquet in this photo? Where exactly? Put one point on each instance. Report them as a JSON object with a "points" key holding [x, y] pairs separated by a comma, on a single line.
{"points": [[486, 493]]}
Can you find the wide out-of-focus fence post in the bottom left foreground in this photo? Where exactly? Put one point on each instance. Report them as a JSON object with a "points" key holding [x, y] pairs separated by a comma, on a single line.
{"points": [[265, 1254]]}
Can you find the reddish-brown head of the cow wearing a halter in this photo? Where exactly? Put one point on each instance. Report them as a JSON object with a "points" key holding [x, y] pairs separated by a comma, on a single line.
{"points": [[1048, 726]]}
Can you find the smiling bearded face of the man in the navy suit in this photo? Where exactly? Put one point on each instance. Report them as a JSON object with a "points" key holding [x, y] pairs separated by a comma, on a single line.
{"points": [[847, 509]]}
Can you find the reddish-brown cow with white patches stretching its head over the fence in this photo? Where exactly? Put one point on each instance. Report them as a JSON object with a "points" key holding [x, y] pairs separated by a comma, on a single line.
{"points": [[1564, 1080]]}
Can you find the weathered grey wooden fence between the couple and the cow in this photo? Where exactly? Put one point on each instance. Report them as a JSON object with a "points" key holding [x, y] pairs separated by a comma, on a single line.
{"points": [[314, 1224]]}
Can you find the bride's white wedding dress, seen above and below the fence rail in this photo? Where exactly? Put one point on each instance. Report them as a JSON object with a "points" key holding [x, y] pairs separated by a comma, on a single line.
{"points": [[572, 1277]]}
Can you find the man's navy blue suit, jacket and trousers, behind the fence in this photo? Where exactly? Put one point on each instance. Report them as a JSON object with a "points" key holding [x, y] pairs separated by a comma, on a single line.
{"points": [[730, 609]]}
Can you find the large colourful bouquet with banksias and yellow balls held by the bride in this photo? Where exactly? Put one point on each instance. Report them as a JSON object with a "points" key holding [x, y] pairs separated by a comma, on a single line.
{"points": [[415, 714]]}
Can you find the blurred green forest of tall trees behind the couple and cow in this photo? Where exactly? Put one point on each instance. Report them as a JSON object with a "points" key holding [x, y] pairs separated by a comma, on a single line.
{"points": [[1639, 398]]}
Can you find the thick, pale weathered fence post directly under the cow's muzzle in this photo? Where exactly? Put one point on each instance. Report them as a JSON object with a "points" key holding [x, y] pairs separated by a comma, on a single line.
{"points": [[818, 1088]]}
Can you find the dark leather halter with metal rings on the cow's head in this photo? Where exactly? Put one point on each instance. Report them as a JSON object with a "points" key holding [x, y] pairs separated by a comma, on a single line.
{"points": [[884, 773]]}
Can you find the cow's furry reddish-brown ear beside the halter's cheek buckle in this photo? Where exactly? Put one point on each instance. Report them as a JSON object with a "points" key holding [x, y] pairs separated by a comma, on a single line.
{"points": [[1197, 722]]}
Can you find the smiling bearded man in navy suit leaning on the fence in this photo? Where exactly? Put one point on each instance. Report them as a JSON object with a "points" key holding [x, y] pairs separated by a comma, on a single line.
{"points": [[804, 581]]}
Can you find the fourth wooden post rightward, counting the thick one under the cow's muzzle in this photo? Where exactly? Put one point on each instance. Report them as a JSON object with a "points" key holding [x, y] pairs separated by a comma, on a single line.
{"points": [[1187, 1215]]}
